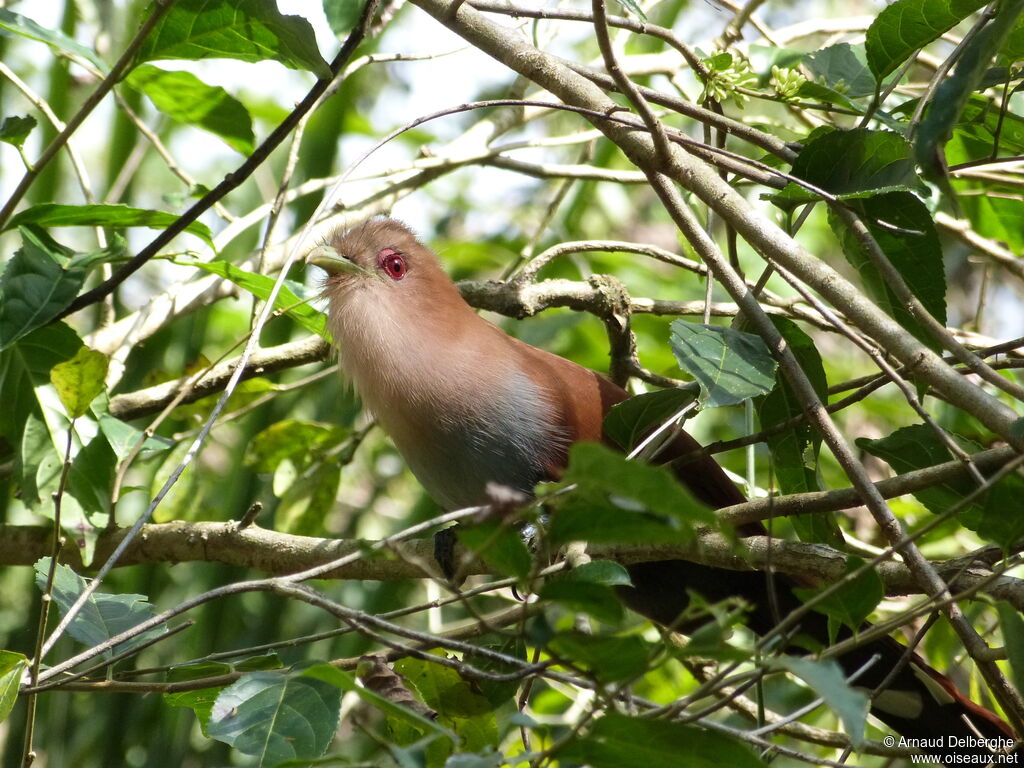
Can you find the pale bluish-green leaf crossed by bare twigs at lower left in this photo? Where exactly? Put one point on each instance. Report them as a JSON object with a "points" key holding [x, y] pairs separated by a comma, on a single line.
{"points": [[104, 616]]}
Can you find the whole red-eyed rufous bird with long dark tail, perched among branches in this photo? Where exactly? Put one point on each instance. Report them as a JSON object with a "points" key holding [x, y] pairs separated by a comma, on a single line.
{"points": [[467, 405]]}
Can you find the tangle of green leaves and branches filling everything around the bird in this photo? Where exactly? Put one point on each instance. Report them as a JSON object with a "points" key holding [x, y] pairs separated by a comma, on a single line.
{"points": [[745, 212]]}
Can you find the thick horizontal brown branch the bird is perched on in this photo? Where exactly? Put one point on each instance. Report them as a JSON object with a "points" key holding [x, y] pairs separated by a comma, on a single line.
{"points": [[277, 554]]}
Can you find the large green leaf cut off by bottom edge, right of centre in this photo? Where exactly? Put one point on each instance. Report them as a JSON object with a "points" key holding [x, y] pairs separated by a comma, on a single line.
{"points": [[621, 742]]}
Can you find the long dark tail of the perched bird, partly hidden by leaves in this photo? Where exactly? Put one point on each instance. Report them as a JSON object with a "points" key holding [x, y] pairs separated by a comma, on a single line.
{"points": [[918, 703]]}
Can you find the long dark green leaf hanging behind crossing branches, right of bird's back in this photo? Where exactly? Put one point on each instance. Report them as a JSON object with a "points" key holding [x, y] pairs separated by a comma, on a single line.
{"points": [[795, 451]]}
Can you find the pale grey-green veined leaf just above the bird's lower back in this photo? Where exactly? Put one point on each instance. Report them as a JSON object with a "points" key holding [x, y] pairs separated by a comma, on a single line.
{"points": [[730, 366]]}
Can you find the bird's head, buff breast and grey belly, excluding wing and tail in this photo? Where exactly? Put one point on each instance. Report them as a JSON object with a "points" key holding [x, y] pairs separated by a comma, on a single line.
{"points": [[447, 386]]}
